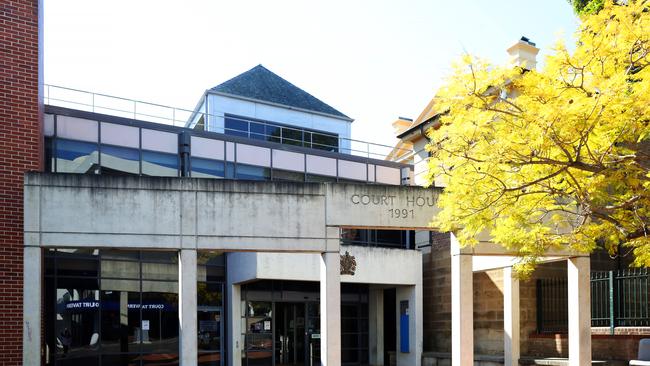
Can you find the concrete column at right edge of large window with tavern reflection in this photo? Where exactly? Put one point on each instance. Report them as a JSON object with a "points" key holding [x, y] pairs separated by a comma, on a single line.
{"points": [[187, 307]]}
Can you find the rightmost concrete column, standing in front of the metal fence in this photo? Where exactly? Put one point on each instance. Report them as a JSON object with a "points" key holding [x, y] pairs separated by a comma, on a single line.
{"points": [[579, 290]]}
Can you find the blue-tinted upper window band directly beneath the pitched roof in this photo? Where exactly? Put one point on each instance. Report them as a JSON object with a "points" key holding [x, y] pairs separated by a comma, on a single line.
{"points": [[274, 132]]}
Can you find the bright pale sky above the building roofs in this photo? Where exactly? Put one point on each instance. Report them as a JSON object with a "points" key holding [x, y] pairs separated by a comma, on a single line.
{"points": [[373, 60]]}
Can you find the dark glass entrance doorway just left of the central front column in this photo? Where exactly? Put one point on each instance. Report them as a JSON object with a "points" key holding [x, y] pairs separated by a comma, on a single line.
{"points": [[290, 334]]}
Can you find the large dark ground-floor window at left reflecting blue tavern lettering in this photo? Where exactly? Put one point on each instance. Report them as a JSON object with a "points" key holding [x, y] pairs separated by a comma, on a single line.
{"points": [[112, 305]]}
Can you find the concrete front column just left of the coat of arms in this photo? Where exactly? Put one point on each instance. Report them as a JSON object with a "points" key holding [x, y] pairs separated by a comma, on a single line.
{"points": [[330, 308]]}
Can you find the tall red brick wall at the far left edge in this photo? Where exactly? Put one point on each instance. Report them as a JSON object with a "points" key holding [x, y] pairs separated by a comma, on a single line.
{"points": [[20, 151]]}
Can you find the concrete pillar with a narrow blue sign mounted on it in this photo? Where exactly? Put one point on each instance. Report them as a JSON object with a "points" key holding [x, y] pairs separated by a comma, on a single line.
{"points": [[412, 294]]}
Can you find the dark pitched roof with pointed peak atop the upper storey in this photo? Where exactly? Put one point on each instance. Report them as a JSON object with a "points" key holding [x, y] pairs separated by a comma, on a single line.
{"points": [[262, 84]]}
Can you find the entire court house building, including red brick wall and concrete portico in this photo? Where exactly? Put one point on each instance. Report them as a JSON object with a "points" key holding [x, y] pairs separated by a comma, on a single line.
{"points": [[253, 230]]}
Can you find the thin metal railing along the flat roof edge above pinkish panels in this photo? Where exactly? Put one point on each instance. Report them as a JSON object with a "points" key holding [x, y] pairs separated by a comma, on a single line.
{"points": [[151, 112]]}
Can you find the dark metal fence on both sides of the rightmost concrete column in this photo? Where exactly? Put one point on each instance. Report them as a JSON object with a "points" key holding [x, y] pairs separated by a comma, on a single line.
{"points": [[618, 299]]}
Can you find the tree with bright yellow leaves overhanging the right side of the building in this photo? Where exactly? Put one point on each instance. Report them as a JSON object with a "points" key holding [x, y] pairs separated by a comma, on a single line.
{"points": [[555, 158]]}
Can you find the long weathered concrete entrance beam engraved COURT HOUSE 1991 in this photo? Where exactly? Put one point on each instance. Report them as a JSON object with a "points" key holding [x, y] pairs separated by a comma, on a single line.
{"points": [[75, 210]]}
